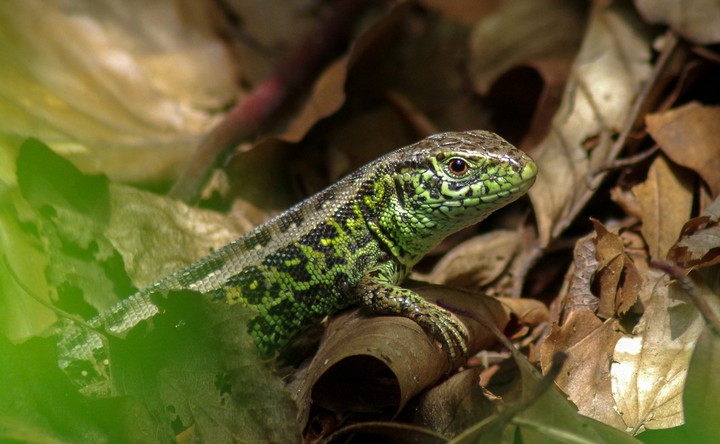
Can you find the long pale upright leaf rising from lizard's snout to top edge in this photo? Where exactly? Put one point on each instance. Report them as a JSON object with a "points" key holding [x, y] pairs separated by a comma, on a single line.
{"points": [[612, 64]]}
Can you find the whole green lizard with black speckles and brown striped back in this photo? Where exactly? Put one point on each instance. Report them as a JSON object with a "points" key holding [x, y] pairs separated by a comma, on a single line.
{"points": [[351, 244]]}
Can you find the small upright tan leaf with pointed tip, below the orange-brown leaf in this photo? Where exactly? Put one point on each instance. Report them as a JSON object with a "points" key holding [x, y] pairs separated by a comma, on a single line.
{"points": [[665, 200]]}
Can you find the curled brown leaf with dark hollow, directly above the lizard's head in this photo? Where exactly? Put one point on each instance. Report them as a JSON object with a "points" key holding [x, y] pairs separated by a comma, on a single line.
{"points": [[526, 40]]}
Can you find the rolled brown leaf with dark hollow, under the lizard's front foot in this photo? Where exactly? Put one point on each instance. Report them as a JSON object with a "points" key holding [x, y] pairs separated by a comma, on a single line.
{"points": [[391, 354]]}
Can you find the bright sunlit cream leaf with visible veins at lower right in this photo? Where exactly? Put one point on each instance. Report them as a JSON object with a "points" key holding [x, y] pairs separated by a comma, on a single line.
{"points": [[649, 367]]}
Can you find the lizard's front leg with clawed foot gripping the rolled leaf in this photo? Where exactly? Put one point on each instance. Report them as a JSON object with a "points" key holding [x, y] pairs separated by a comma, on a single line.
{"points": [[378, 292]]}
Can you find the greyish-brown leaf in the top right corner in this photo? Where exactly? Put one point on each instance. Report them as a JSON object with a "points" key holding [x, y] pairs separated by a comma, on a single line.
{"points": [[695, 20]]}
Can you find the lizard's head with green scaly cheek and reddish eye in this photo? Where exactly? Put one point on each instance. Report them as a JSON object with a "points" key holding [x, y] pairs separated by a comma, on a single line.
{"points": [[452, 180]]}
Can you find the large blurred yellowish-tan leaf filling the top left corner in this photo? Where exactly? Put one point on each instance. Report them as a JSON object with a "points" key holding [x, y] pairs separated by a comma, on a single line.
{"points": [[127, 97]]}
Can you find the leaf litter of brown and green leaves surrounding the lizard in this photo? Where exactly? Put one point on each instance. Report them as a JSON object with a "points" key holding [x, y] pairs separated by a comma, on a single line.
{"points": [[615, 253]]}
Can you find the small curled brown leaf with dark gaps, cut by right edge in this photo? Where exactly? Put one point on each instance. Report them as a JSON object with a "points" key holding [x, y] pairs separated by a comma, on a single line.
{"points": [[699, 243]]}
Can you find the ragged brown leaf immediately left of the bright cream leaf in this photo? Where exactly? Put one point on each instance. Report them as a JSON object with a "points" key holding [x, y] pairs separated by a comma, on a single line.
{"points": [[589, 344]]}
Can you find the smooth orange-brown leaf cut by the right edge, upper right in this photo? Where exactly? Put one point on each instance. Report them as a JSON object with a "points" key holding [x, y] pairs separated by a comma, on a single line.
{"points": [[688, 135]]}
